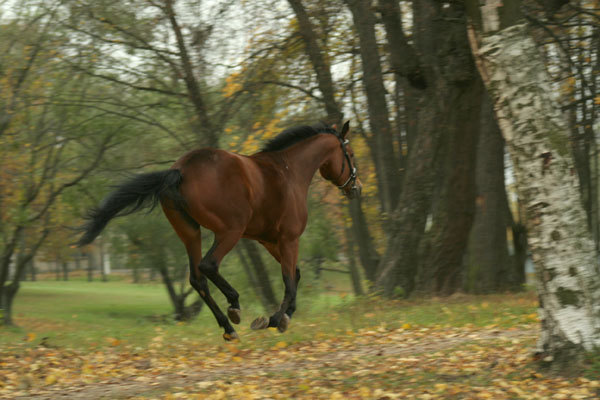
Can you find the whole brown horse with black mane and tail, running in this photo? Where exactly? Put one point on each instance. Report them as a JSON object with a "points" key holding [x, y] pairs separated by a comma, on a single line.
{"points": [[261, 197]]}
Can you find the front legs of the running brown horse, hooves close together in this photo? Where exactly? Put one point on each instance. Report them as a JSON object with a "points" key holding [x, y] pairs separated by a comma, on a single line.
{"points": [[288, 256]]}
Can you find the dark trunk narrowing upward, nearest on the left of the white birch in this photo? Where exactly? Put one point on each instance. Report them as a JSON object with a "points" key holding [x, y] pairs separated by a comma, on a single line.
{"points": [[488, 259]]}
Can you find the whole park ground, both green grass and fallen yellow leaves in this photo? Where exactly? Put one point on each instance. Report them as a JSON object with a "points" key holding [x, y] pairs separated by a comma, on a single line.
{"points": [[117, 340]]}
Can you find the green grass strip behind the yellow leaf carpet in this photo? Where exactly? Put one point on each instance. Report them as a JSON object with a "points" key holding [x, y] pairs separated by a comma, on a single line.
{"points": [[91, 315]]}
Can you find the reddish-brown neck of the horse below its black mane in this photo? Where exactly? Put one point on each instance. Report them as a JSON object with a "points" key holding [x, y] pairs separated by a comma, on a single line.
{"points": [[306, 157]]}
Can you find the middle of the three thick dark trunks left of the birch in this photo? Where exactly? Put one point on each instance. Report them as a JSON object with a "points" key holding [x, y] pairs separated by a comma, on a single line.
{"points": [[442, 268]]}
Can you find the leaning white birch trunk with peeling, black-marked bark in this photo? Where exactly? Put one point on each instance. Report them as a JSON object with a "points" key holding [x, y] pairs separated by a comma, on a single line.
{"points": [[567, 274]]}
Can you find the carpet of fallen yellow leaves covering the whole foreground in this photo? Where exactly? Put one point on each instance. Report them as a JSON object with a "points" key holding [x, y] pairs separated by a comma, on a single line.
{"points": [[376, 363]]}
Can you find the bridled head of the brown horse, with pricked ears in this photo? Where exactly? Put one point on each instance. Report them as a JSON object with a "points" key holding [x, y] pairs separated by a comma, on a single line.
{"points": [[341, 168]]}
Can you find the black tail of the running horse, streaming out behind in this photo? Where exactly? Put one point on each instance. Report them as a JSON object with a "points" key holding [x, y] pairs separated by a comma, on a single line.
{"points": [[141, 191]]}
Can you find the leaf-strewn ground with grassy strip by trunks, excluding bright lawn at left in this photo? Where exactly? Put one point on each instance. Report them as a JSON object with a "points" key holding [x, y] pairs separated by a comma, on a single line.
{"points": [[384, 358]]}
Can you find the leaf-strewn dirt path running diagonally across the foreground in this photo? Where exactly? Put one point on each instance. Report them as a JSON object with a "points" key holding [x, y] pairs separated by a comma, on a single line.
{"points": [[350, 354]]}
